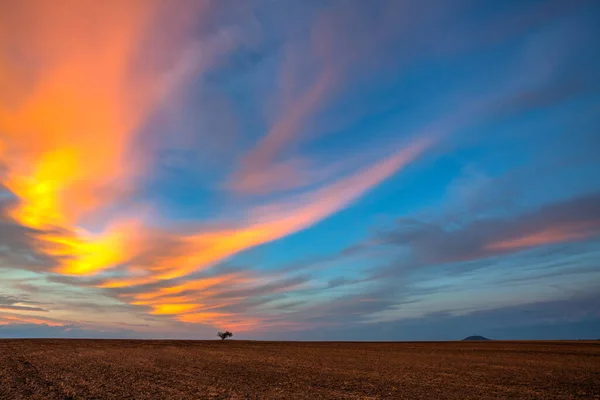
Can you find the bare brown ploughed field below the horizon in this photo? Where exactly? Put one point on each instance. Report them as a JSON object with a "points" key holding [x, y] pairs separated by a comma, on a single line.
{"points": [[128, 369]]}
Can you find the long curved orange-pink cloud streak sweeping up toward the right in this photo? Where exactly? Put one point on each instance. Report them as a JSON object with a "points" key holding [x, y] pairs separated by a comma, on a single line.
{"points": [[275, 221]]}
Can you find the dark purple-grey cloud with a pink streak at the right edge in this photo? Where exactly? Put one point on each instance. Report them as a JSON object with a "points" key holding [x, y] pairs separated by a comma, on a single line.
{"points": [[570, 220]]}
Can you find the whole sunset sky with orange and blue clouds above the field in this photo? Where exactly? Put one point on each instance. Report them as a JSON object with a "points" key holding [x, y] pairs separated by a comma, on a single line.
{"points": [[300, 169]]}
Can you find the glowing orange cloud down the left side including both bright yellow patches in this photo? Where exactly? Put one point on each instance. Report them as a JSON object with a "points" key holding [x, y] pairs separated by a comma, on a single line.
{"points": [[79, 88]]}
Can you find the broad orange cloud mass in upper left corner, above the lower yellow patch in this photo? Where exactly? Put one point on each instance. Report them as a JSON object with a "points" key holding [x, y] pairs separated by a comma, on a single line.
{"points": [[66, 135]]}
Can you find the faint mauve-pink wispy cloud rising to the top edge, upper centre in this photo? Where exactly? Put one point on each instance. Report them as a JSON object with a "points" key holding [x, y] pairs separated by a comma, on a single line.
{"points": [[313, 71]]}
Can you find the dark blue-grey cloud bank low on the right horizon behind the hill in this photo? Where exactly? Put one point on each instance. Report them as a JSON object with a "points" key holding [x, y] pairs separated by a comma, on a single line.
{"points": [[565, 319]]}
